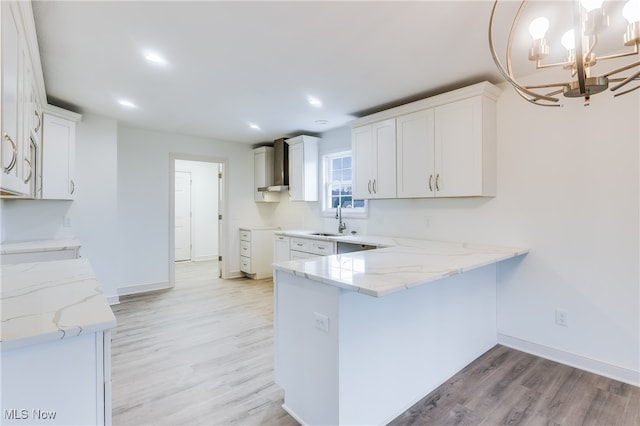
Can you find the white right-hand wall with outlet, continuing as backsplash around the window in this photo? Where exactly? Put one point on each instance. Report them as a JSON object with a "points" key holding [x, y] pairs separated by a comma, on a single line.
{"points": [[568, 189]]}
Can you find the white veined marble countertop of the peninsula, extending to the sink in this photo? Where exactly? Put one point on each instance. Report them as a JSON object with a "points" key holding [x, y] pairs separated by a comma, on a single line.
{"points": [[402, 264]]}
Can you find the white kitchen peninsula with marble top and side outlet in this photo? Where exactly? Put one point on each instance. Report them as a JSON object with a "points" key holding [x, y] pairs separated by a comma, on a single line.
{"points": [[360, 337]]}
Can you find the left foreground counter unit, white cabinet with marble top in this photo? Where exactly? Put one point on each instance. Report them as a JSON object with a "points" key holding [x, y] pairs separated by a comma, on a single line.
{"points": [[55, 344]]}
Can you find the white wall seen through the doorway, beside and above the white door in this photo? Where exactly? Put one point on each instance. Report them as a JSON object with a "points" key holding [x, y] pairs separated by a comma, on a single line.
{"points": [[204, 207]]}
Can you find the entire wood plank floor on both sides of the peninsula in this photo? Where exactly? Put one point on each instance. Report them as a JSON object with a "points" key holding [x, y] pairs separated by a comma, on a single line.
{"points": [[202, 353]]}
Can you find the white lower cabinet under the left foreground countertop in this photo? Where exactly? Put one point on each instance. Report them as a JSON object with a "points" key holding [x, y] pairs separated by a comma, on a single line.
{"points": [[63, 382]]}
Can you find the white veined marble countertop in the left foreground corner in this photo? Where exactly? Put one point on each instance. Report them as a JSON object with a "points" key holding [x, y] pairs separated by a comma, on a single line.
{"points": [[46, 301]]}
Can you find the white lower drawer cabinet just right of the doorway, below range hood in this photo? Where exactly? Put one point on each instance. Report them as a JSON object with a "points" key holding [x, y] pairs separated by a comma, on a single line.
{"points": [[256, 252]]}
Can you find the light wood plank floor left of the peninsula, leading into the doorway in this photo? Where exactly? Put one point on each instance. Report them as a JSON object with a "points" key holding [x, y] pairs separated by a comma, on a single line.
{"points": [[201, 353]]}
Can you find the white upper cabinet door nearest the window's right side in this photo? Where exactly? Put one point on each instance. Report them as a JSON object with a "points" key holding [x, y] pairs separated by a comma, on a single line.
{"points": [[363, 154]]}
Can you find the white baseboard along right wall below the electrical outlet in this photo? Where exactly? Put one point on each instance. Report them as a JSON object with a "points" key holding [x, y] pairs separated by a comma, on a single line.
{"points": [[615, 372]]}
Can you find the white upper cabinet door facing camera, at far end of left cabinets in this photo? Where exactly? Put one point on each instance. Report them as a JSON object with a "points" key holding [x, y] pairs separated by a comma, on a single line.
{"points": [[58, 158]]}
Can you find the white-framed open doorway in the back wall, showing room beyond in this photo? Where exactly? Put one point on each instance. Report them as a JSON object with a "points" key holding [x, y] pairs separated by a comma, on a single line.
{"points": [[196, 206]]}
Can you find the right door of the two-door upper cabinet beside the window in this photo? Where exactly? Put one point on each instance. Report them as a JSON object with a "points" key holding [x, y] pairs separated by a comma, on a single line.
{"points": [[384, 179]]}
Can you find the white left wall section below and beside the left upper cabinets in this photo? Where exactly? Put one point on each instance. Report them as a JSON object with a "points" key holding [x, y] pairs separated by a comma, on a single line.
{"points": [[92, 214]]}
